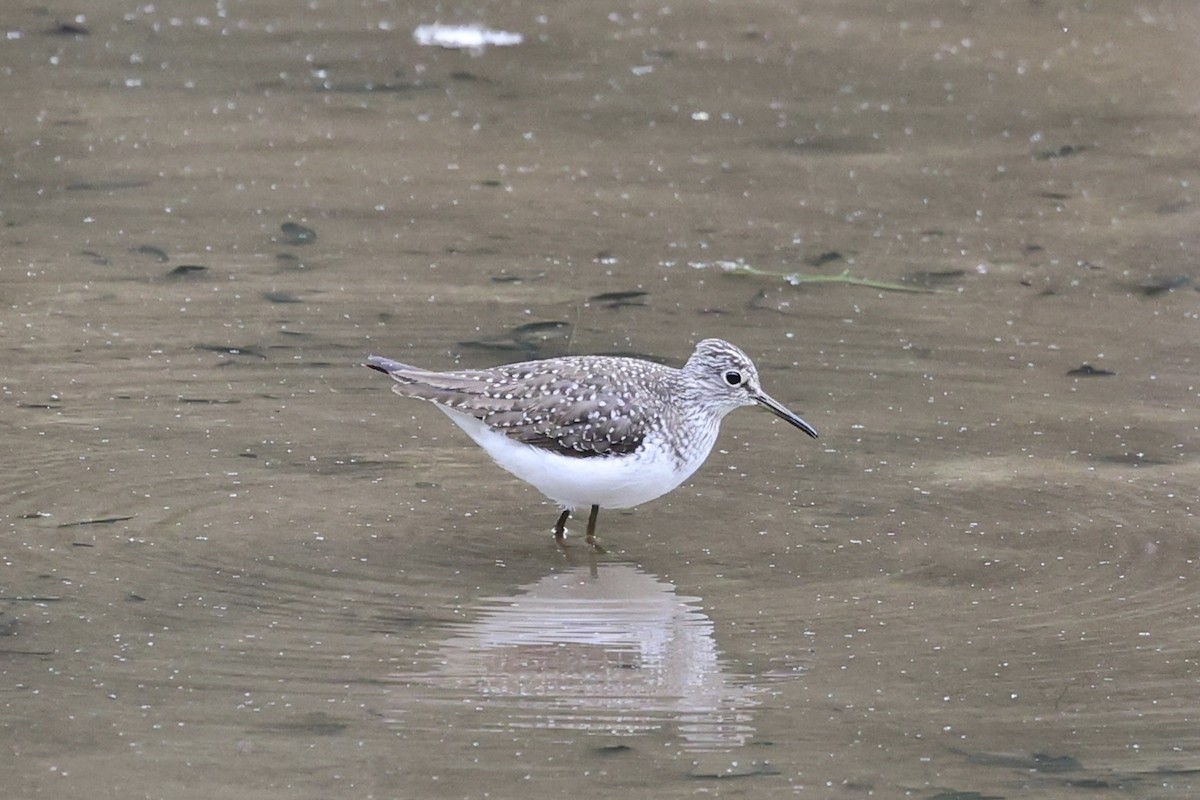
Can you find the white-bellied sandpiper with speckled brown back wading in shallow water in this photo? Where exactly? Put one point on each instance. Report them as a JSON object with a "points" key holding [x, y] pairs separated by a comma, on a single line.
{"points": [[596, 431]]}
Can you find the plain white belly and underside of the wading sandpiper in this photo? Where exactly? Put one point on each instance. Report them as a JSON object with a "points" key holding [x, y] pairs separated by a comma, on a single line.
{"points": [[610, 483]]}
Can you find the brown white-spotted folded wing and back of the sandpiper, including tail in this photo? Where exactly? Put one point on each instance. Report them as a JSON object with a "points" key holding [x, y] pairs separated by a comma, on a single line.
{"points": [[566, 407]]}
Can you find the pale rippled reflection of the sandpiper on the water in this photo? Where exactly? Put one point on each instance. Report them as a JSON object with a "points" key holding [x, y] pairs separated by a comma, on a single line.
{"points": [[609, 649]]}
